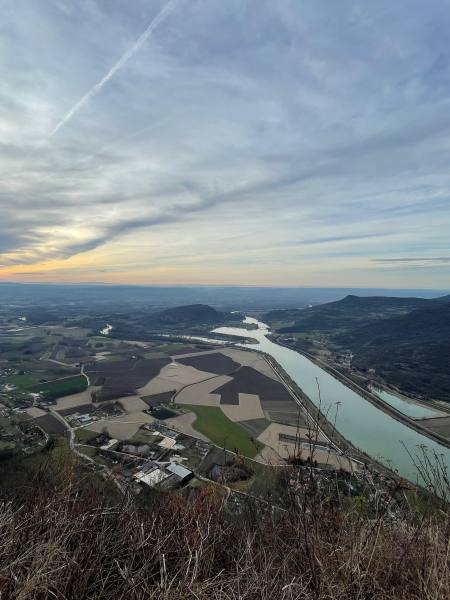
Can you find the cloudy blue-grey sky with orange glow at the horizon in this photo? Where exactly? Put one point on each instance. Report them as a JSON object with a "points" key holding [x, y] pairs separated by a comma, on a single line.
{"points": [[256, 142]]}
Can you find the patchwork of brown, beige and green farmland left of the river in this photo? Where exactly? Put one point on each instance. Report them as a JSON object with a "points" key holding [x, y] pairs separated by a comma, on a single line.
{"points": [[225, 395]]}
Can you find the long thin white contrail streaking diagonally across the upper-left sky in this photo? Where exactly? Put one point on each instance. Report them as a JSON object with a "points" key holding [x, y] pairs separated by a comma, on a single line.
{"points": [[160, 17]]}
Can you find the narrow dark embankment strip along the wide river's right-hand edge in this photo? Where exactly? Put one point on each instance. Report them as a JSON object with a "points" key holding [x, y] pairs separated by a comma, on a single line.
{"points": [[372, 398]]}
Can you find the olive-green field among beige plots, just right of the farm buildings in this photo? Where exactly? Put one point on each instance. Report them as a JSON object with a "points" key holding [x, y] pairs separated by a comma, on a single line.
{"points": [[217, 427]]}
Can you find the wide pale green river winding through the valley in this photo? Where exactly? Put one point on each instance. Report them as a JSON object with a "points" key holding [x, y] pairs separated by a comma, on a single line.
{"points": [[359, 421]]}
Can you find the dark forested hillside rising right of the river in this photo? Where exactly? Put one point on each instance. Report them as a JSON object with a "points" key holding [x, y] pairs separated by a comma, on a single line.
{"points": [[405, 340]]}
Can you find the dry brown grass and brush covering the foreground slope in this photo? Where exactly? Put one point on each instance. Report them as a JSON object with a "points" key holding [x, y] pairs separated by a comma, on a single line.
{"points": [[64, 539]]}
